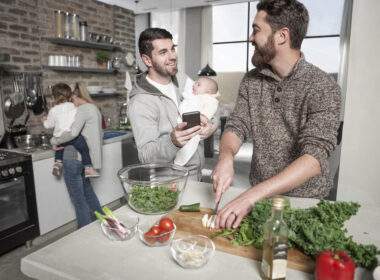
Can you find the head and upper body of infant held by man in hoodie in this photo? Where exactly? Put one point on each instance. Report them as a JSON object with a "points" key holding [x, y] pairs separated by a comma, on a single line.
{"points": [[206, 91]]}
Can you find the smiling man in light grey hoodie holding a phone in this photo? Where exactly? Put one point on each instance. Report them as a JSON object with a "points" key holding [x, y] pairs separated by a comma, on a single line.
{"points": [[153, 107]]}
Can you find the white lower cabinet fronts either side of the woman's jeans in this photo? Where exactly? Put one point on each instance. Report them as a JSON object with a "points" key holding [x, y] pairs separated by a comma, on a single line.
{"points": [[53, 201]]}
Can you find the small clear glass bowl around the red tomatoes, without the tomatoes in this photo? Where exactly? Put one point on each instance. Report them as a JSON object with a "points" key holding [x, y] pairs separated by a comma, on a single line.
{"points": [[154, 241]]}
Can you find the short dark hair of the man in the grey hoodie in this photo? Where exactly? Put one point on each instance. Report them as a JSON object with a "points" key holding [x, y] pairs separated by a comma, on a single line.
{"points": [[150, 34]]}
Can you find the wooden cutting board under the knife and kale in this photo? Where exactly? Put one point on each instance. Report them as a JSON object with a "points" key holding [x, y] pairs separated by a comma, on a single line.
{"points": [[190, 223]]}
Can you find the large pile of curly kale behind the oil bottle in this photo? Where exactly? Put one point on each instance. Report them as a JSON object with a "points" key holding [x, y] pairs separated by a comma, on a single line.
{"points": [[312, 230]]}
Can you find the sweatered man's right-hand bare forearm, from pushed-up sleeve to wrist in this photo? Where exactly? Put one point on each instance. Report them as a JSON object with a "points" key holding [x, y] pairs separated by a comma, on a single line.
{"points": [[297, 173]]}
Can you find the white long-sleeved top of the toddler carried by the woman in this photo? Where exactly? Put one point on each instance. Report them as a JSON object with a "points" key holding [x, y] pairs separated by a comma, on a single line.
{"points": [[61, 118]]}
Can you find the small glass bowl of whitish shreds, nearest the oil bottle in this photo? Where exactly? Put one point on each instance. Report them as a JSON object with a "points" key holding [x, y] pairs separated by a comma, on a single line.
{"points": [[192, 251]]}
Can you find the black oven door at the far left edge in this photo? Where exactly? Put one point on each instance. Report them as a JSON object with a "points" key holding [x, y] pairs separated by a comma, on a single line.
{"points": [[18, 211]]}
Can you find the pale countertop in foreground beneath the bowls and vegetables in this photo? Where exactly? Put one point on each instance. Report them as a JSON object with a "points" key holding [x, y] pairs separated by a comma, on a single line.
{"points": [[88, 254]]}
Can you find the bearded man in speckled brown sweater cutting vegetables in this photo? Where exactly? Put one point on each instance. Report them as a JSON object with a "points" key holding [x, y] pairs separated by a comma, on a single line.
{"points": [[291, 109]]}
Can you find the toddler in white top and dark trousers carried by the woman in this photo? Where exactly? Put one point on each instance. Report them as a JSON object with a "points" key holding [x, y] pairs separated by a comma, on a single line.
{"points": [[61, 117]]}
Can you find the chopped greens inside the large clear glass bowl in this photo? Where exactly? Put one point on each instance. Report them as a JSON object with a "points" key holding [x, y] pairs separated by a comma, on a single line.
{"points": [[153, 200]]}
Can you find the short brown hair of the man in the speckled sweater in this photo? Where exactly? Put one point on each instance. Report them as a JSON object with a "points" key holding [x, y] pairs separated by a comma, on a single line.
{"points": [[287, 13]]}
